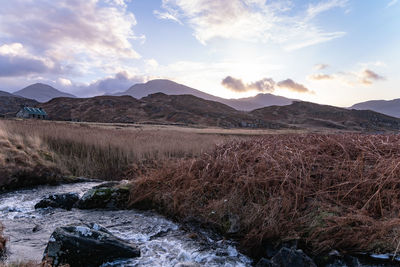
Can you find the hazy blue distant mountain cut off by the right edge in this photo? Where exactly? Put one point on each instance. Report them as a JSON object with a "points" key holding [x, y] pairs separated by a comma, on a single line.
{"points": [[388, 107]]}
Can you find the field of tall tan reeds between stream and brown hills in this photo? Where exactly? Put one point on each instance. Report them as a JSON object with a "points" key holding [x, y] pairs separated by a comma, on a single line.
{"points": [[108, 151]]}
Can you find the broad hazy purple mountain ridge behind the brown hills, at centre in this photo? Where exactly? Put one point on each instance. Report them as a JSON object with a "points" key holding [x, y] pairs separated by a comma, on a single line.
{"points": [[168, 87]]}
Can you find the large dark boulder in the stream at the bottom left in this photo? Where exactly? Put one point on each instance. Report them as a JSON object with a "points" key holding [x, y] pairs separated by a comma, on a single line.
{"points": [[86, 245]]}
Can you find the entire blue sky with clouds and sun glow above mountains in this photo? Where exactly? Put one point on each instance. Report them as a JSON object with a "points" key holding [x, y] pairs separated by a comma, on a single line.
{"points": [[337, 52]]}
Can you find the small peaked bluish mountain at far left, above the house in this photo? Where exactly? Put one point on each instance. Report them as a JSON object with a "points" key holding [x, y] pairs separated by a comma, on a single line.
{"points": [[41, 92]]}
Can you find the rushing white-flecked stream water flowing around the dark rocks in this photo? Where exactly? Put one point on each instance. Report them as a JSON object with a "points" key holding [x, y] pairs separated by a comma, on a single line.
{"points": [[162, 242]]}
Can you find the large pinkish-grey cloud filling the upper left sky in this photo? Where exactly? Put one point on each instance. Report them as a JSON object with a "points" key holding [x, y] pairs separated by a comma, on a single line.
{"points": [[85, 34]]}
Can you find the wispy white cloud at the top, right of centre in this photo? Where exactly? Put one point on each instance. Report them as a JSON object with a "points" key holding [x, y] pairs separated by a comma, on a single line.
{"points": [[252, 20]]}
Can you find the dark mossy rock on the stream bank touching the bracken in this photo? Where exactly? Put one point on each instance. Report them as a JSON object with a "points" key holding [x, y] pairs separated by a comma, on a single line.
{"points": [[104, 198]]}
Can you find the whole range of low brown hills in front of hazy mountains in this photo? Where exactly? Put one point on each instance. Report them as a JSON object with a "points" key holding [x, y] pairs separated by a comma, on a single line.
{"points": [[160, 108]]}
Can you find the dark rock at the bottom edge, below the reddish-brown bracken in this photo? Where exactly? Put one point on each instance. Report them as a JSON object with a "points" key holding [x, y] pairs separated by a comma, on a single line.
{"points": [[289, 257]]}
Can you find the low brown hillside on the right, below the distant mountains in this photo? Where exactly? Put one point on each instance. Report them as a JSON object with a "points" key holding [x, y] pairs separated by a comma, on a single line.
{"points": [[306, 115]]}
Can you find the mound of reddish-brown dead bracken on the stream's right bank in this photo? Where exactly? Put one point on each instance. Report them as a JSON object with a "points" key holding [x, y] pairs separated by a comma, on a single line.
{"points": [[328, 191]]}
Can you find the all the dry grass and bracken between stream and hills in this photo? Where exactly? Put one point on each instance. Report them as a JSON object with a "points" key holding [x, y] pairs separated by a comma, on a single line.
{"points": [[328, 191]]}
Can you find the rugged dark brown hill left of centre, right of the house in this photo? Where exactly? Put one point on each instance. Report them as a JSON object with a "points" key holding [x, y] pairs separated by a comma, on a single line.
{"points": [[155, 108]]}
